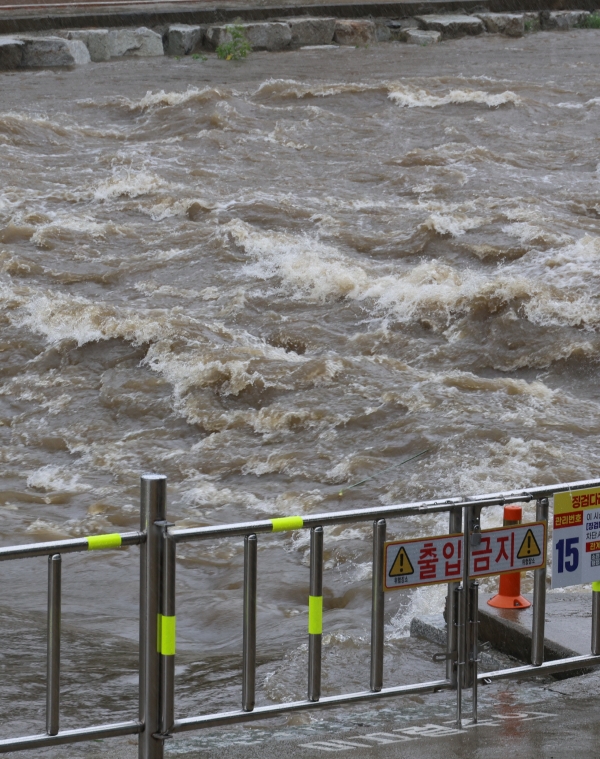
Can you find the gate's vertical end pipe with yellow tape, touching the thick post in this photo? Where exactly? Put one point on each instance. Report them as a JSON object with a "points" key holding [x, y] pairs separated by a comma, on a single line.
{"points": [[167, 633]]}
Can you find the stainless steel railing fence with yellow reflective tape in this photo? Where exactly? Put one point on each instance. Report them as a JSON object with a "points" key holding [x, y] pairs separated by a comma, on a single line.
{"points": [[158, 541]]}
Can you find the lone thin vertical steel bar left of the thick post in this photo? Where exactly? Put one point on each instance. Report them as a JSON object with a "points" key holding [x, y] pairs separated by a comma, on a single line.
{"points": [[53, 645]]}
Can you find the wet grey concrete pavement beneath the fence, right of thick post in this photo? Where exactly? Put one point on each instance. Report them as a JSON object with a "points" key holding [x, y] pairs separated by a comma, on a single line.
{"points": [[548, 720]]}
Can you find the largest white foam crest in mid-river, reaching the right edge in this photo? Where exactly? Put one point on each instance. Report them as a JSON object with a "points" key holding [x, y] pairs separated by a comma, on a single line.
{"points": [[433, 289]]}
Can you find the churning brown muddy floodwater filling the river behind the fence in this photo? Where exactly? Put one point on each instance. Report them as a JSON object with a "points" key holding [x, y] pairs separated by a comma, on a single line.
{"points": [[269, 280]]}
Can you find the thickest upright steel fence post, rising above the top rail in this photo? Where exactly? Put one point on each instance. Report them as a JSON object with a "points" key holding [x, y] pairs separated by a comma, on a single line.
{"points": [[153, 509]]}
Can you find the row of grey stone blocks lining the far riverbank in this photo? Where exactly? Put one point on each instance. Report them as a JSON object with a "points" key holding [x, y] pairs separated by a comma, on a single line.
{"points": [[77, 47]]}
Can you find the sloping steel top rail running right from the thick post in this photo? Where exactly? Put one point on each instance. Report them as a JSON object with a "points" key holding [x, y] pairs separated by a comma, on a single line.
{"points": [[382, 512]]}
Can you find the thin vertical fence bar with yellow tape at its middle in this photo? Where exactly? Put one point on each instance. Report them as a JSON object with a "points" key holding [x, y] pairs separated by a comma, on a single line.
{"points": [[315, 614]]}
